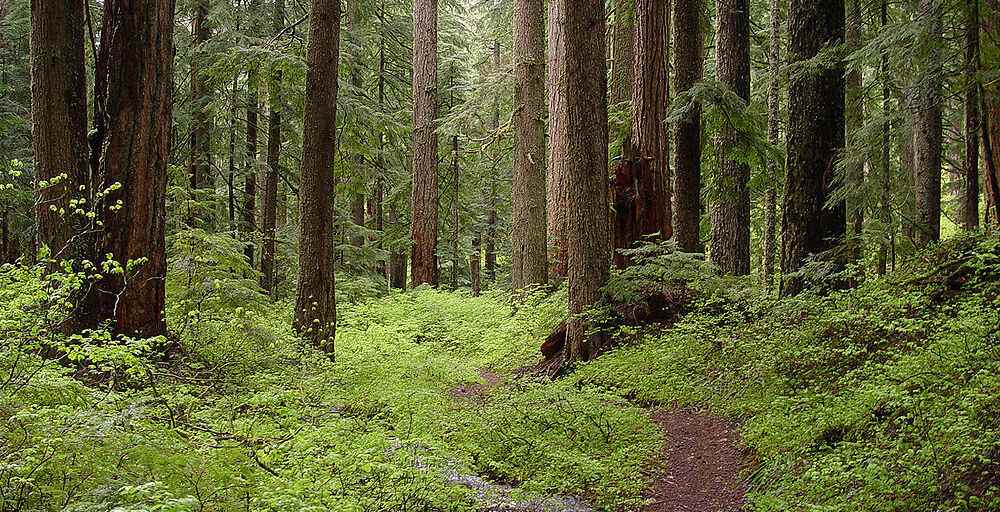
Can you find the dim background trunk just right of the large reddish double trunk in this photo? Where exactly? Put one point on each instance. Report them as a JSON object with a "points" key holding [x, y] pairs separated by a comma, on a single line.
{"points": [[200, 169]]}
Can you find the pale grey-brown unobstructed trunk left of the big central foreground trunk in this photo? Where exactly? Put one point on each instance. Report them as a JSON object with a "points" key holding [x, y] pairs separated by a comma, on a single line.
{"points": [[528, 259]]}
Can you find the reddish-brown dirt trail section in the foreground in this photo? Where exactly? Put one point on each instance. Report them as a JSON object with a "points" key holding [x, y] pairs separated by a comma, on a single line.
{"points": [[703, 464]]}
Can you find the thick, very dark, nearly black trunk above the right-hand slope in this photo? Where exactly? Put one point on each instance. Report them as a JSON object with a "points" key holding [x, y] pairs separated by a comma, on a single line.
{"points": [[815, 135]]}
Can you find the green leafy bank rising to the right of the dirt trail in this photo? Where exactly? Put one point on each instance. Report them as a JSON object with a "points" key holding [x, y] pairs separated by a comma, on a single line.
{"points": [[882, 398]]}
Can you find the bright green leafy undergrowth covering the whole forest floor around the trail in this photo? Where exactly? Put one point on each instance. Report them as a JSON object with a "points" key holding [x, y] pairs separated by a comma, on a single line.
{"points": [[882, 398]]}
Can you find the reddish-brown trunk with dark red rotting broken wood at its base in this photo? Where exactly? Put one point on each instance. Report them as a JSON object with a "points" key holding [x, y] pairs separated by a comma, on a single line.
{"points": [[642, 195]]}
